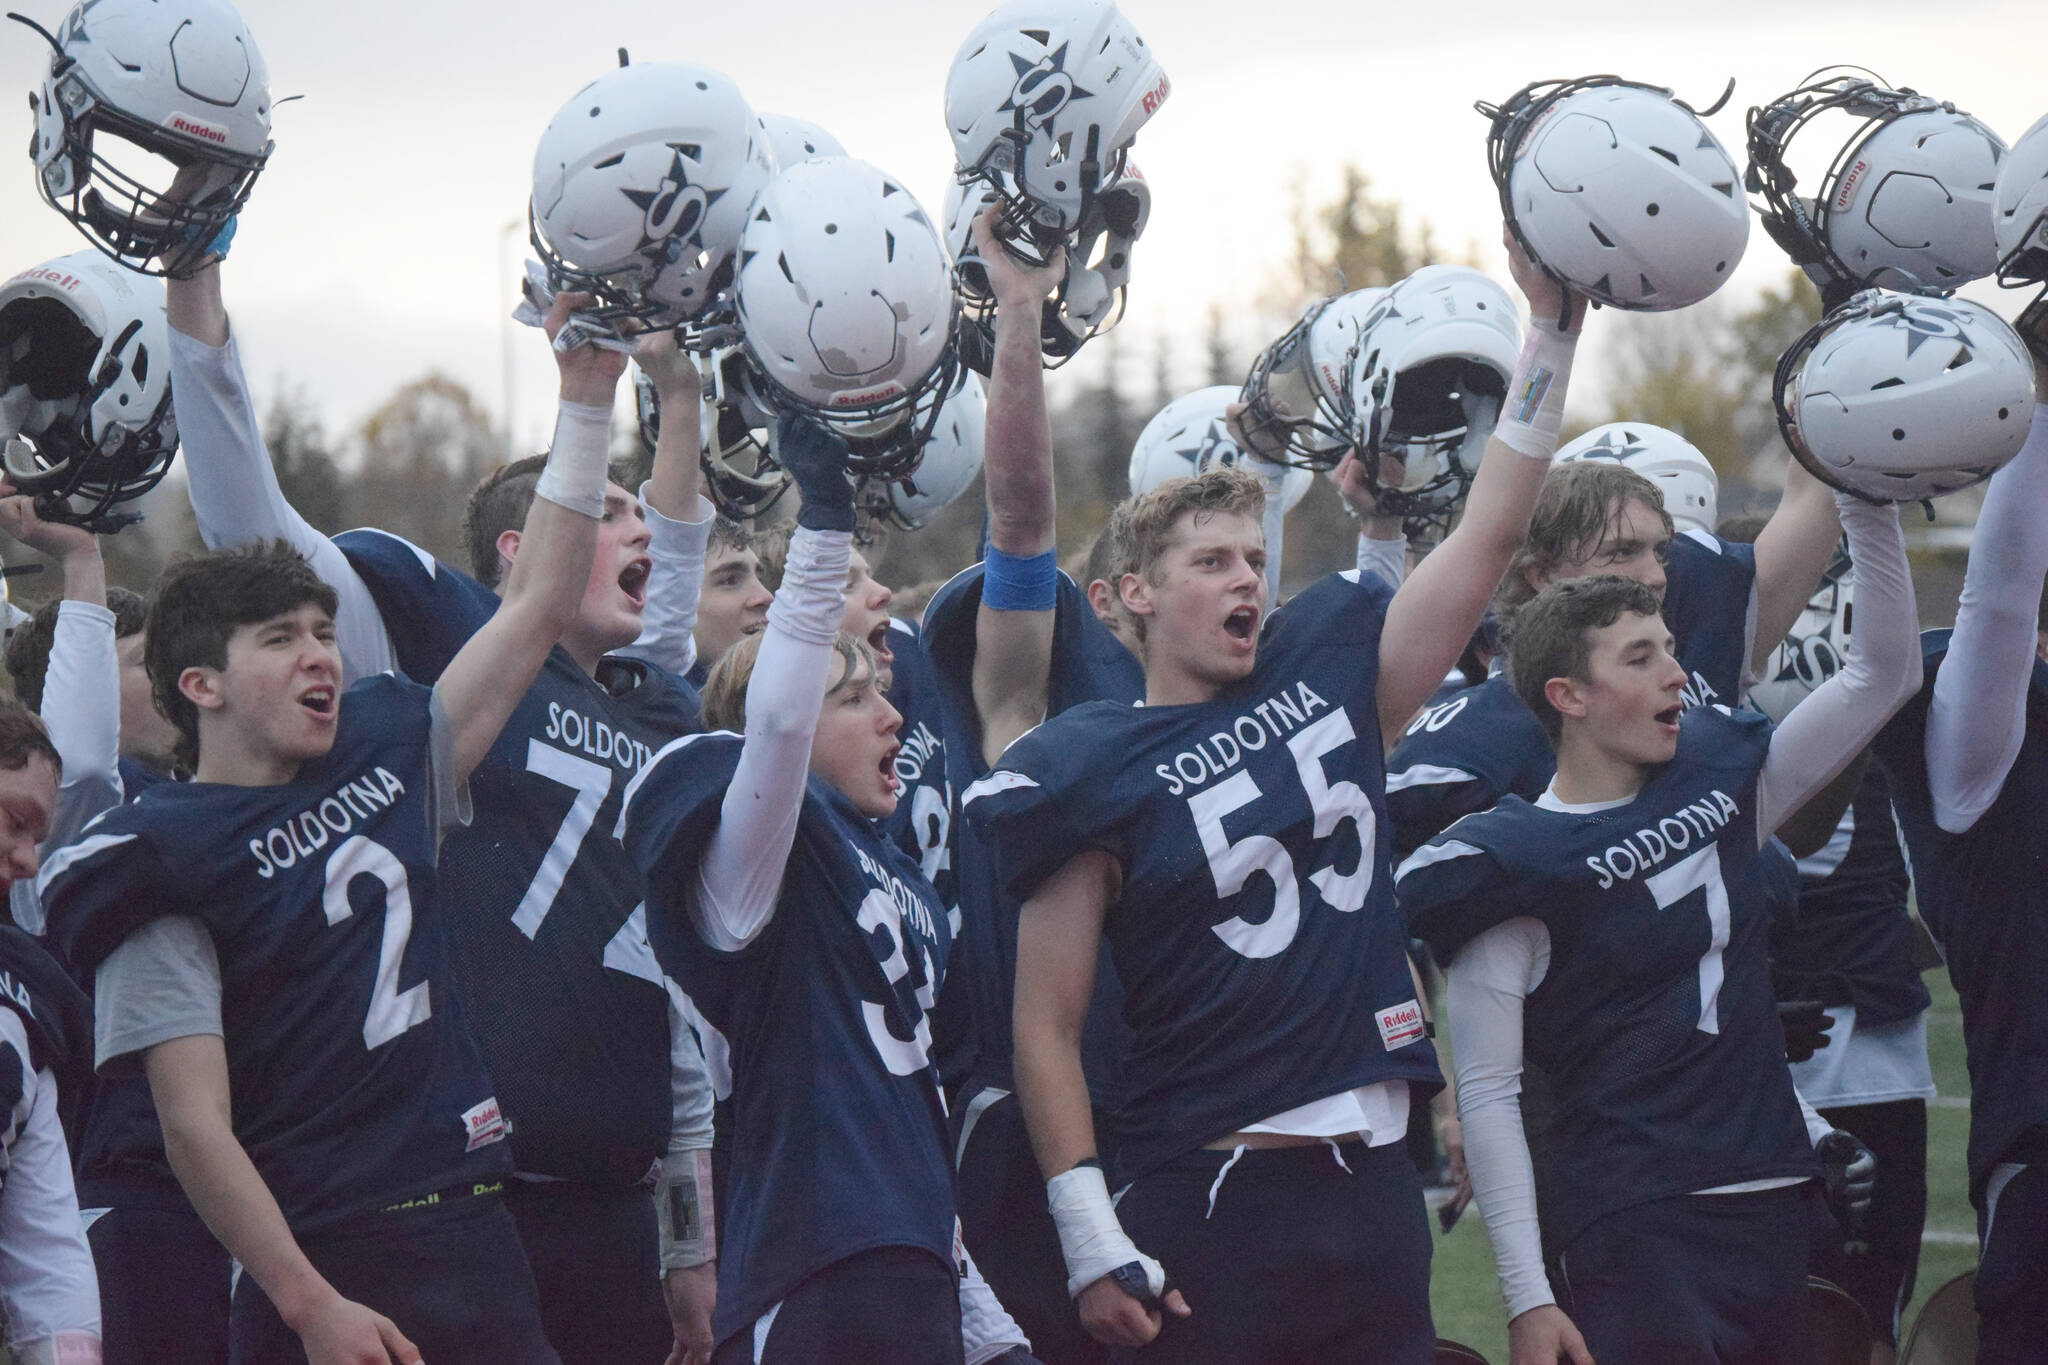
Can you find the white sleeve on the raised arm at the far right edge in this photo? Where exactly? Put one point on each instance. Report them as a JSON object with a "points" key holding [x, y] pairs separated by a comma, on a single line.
{"points": [[1979, 709]]}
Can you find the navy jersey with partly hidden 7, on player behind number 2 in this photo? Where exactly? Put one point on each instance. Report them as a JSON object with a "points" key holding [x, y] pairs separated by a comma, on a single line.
{"points": [[538, 887]]}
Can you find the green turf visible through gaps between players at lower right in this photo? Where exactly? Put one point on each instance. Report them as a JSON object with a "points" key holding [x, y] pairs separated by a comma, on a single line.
{"points": [[1467, 1301]]}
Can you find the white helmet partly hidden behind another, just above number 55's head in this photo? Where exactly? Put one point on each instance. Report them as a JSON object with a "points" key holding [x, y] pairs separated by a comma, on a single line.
{"points": [[1297, 396]]}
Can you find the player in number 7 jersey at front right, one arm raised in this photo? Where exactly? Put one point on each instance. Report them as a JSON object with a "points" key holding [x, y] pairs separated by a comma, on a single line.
{"points": [[1615, 934]]}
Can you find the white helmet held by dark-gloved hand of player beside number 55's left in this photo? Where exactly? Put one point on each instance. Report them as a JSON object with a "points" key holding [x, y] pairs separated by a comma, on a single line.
{"points": [[847, 310]]}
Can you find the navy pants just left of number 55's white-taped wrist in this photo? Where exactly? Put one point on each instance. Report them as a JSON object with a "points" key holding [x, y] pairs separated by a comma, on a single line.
{"points": [[1011, 1235]]}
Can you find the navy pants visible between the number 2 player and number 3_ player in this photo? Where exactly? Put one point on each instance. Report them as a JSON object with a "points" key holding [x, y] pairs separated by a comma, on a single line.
{"points": [[597, 1264]]}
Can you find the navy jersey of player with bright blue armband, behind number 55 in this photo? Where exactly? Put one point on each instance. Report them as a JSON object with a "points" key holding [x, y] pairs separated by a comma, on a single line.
{"points": [[1089, 666]]}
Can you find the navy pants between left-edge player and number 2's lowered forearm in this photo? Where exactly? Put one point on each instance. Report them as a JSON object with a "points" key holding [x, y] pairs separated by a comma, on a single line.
{"points": [[163, 1288]]}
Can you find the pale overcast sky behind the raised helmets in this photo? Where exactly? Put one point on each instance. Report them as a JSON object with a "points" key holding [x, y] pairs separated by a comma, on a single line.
{"points": [[376, 243]]}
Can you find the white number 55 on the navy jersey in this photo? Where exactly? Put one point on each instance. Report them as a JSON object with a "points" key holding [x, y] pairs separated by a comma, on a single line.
{"points": [[1232, 865]]}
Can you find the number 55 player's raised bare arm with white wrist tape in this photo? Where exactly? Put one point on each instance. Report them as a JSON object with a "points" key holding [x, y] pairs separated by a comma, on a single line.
{"points": [[1443, 601]]}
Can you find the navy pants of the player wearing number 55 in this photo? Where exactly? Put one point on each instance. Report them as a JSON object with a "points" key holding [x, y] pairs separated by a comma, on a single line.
{"points": [[1314, 1256]]}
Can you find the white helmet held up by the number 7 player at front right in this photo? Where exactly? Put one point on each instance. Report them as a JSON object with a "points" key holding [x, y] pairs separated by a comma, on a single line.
{"points": [[1895, 398]]}
